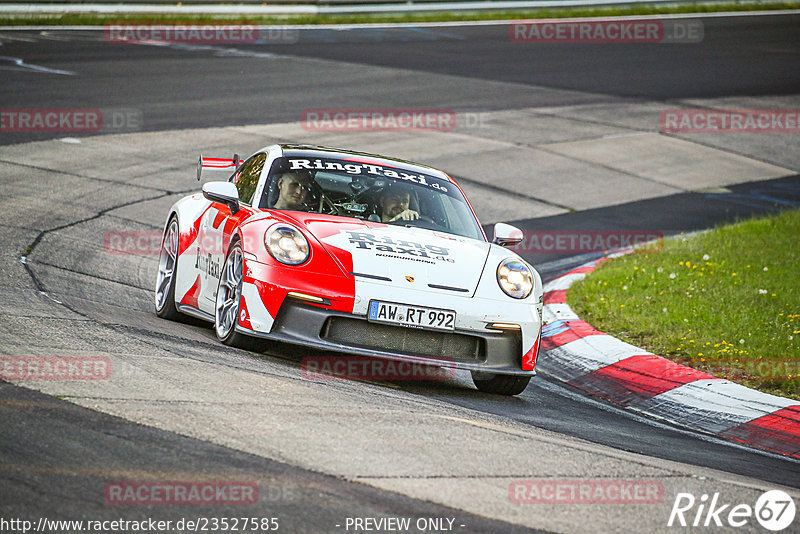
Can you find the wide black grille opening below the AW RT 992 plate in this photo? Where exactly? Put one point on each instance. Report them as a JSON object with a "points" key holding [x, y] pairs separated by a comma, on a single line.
{"points": [[407, 341]]}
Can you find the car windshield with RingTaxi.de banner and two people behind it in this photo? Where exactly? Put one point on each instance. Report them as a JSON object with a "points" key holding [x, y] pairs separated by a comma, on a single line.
{"points": [[375, 191]]}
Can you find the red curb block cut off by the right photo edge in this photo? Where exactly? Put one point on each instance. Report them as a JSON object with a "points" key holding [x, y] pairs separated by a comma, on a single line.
{"points": [[778, 431]]}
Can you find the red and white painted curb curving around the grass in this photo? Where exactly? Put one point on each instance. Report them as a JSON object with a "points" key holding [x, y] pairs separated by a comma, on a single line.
{"points": [[576, 353]]}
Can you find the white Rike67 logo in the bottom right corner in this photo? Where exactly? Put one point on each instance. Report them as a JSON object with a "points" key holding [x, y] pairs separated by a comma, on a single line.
{"points": [[774, 510]]}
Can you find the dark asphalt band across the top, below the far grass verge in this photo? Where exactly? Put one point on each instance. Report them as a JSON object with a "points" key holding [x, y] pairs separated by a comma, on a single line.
{"points": [[175, 89]]}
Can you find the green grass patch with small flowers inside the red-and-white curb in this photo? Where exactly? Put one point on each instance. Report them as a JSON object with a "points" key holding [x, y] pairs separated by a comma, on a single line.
{"points": [[726, 302]]}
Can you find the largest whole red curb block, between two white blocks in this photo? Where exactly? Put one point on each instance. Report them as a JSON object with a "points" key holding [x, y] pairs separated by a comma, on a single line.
{"points": [[637, 378]]}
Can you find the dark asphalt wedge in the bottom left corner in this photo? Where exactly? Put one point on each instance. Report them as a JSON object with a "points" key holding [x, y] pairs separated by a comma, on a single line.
{"points": [[57, 461]]}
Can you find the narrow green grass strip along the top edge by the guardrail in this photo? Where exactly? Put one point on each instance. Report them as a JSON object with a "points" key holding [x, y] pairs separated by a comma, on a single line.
{"points": [[73, 19]]}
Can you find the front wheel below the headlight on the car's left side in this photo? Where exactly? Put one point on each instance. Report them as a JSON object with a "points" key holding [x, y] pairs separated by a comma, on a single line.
{"points": [[228, 303]]}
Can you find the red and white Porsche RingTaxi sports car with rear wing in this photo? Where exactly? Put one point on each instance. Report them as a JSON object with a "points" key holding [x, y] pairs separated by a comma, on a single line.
{"points": [[352, 253]]}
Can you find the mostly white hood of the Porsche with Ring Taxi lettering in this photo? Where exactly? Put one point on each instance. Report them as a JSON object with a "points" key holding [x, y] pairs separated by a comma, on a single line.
{"points": [[408, 257]]}
